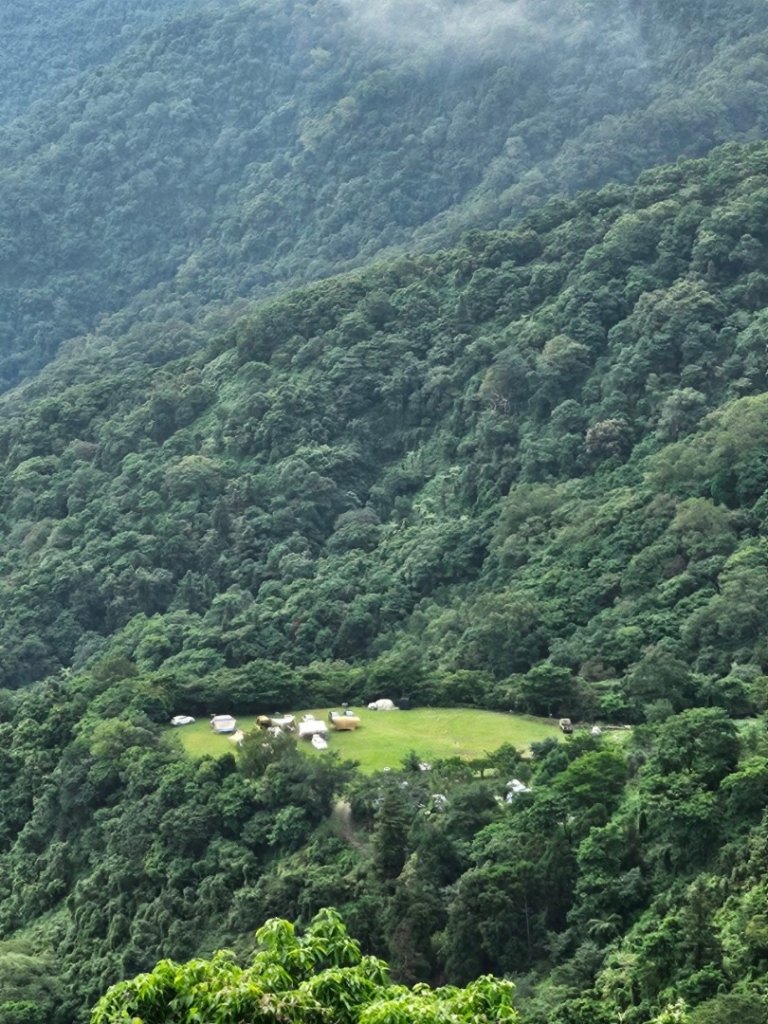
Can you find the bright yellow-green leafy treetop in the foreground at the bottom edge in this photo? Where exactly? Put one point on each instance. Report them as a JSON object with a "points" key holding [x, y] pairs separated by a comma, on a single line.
{"points": [[314, 979]]}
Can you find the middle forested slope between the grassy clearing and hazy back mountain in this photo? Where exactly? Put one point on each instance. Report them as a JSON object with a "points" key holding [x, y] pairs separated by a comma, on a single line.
{"points": [[529, 472]]}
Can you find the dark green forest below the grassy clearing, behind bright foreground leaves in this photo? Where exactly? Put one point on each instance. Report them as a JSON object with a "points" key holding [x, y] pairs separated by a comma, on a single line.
{"points": [[629, 879]]}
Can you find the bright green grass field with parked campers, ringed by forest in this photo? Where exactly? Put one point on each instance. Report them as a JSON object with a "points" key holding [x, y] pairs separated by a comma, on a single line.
{"points": [[387, 738]]}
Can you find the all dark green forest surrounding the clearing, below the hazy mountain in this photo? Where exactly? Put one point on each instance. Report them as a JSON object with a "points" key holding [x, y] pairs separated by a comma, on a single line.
{"points": [[526, 473]]}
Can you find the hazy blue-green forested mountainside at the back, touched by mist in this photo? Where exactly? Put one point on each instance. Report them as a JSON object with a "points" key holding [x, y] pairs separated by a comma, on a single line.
{"points": [[238, 149]]}
